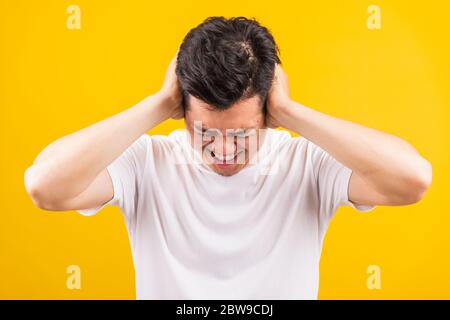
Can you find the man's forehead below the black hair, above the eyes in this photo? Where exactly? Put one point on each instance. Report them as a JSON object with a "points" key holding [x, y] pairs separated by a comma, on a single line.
{"points": [[245, 113]]}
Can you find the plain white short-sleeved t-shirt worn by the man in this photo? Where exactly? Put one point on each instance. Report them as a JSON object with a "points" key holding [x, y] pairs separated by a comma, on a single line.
{"points": [[257, 234]]}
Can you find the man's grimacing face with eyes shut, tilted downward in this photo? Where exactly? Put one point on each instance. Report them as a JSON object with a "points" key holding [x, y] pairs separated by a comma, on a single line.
{"points": [[227, 139]]}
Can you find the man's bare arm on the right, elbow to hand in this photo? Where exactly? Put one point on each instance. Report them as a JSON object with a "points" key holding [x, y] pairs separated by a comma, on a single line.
{"points": [[386, 169]]}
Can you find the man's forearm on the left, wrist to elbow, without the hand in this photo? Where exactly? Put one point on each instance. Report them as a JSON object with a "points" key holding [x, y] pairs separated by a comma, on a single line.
{"points": [[68, 165]]}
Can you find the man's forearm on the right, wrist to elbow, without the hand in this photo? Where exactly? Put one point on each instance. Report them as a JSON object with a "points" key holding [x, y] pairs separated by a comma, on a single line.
{"points": [[389, 163]]}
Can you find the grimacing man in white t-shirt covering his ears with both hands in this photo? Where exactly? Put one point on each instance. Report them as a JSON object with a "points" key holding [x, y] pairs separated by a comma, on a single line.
{"points": [[228, 208]]}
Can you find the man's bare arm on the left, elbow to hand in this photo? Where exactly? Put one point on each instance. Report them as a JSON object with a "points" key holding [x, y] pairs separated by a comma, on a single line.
{"points": [[70, 173]]}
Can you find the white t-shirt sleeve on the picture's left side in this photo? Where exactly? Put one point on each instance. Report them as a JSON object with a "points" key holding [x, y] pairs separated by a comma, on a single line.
{"points": [[126, 173]]}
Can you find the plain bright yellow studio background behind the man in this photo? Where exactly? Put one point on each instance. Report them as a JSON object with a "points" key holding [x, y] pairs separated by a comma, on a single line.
{"points": [[54, 81]]}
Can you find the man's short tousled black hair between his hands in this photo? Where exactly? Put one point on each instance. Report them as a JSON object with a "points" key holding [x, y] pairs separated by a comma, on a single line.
{"points": [[222, 61]]}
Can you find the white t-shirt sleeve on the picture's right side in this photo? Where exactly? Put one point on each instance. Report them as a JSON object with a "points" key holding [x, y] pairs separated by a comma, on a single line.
{"points": [[332, 182]]}
